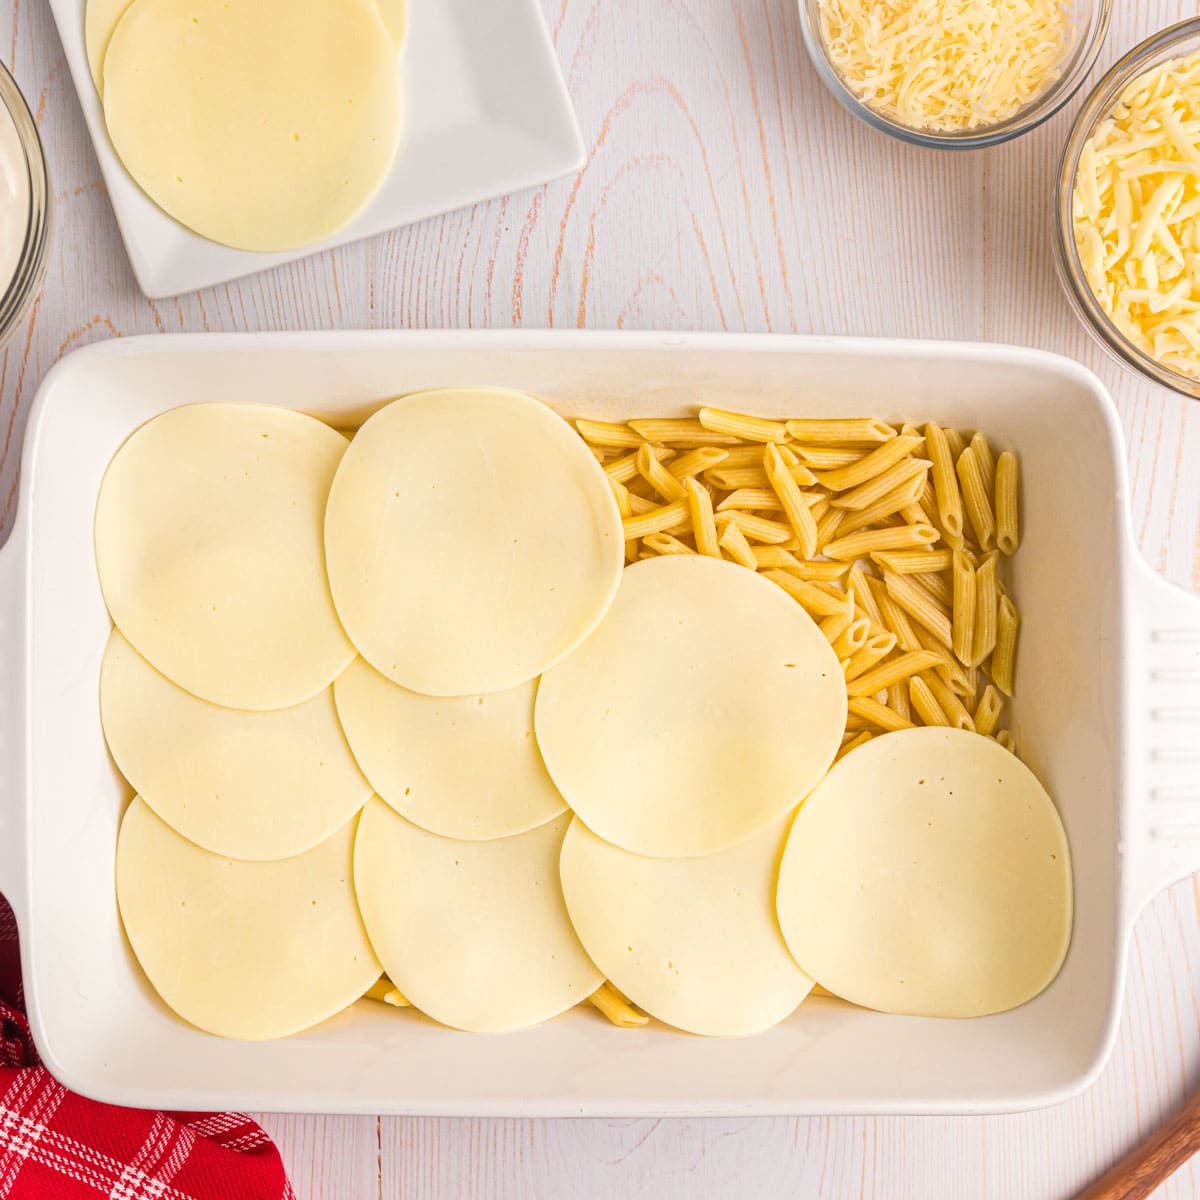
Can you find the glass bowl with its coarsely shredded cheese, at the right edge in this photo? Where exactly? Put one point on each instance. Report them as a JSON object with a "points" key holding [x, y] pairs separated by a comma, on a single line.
{"points": [[1130, 209]]}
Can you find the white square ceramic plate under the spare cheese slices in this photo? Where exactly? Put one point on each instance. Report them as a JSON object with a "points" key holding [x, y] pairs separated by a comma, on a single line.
{"points": [[487, 112]]}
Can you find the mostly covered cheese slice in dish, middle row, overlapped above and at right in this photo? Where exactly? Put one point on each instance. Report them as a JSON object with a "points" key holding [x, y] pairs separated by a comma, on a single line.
{"points": [[459, 766]]}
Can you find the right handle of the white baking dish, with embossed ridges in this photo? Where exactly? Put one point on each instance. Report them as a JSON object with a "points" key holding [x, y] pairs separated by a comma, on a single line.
{"points": [[1165, 845]]}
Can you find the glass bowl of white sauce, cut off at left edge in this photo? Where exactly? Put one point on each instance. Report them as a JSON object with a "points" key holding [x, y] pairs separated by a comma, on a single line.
{"points": [[25, 208]]}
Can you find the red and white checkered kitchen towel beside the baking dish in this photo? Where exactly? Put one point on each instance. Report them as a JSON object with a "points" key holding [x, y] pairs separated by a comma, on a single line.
{"points": [[56, 1145]]}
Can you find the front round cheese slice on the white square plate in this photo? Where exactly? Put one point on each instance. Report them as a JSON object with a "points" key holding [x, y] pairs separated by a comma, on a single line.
{"points": [[263, 125]]}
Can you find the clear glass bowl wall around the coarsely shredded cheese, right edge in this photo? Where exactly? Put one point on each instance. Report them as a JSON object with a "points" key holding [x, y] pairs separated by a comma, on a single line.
{"points": [[1178, 41]]}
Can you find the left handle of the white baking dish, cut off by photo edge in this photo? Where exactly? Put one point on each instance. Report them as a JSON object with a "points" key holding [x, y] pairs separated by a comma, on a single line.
{"points": [[13, 718]]}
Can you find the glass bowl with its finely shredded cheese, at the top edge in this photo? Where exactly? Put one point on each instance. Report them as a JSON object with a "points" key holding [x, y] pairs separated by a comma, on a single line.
{"points": [[955, 74]]}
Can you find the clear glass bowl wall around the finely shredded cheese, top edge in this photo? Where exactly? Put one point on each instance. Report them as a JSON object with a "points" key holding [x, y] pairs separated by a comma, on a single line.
{"points": [[1091, 23]]}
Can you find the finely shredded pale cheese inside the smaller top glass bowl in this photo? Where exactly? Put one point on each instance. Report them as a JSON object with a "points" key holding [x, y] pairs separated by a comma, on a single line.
{"points": [[947, 65]]}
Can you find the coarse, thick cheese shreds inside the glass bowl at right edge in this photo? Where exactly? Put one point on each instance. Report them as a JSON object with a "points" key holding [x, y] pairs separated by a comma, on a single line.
{"points": [[1137, 213]]}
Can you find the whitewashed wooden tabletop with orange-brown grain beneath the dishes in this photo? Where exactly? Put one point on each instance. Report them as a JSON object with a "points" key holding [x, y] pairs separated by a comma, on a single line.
{"points": [[724, 190]]}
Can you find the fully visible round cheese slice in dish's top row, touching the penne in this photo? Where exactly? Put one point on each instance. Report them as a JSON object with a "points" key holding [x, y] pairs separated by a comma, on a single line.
{"points": [[473, 541]]}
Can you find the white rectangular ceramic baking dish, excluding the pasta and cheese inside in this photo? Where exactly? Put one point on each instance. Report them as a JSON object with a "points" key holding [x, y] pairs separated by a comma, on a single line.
{"points": [[1109, 701]]}
